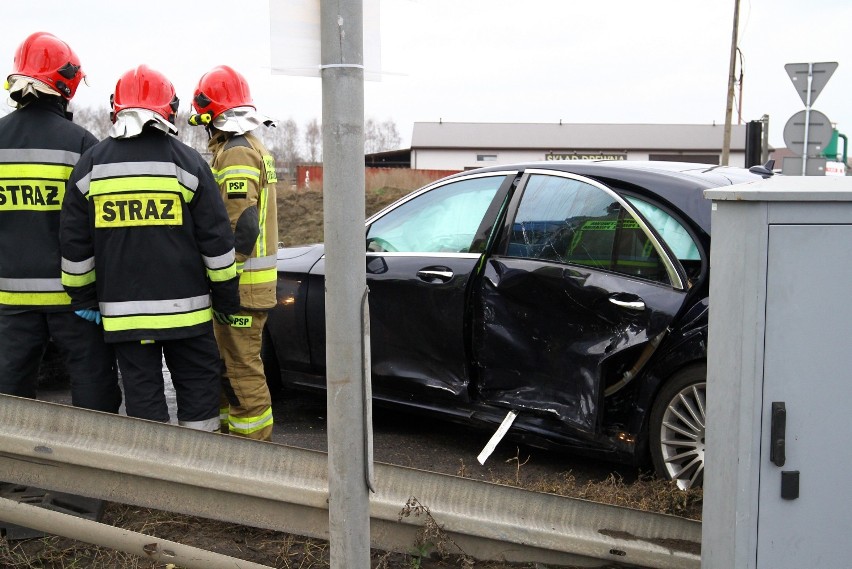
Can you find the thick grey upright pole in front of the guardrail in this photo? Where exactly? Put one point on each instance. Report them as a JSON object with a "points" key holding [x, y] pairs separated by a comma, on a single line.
{"points": [[345, 281]]}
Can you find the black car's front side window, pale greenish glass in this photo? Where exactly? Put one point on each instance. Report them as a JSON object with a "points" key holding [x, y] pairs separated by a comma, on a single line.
{"points": [[444, 219]]}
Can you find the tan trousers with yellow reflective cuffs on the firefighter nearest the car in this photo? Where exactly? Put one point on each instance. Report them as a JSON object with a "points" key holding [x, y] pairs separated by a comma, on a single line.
{"points": [[246, 403]]}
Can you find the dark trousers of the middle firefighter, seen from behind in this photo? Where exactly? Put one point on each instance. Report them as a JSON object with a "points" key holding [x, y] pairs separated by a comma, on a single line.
{"points": [[195, 369]]}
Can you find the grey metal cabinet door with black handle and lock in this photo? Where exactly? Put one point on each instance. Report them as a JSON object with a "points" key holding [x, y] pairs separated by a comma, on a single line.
{"points": [[808, 358]]}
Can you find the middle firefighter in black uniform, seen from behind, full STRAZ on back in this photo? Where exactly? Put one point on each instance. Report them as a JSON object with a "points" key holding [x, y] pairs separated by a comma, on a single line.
{"points": [[146, 241]]}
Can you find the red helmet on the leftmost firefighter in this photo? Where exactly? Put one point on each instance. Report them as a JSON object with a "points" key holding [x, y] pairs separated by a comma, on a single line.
{"points": [[47, 58]]}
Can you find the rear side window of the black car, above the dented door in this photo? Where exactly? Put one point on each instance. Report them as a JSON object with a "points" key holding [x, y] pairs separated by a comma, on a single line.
{"points": [[570, 221]]}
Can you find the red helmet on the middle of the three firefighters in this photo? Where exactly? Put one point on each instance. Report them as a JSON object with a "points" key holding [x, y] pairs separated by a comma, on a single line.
{"points": [[145, 88]]}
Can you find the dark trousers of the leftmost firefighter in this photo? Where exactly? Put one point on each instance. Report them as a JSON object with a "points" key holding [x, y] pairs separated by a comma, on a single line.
{"points": [[90, 362]]}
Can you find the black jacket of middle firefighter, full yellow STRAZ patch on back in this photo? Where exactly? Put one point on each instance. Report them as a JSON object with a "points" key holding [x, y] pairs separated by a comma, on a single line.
{"points": [[145, 234]]}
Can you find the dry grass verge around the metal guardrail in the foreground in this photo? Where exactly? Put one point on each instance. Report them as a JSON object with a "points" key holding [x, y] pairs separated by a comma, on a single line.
{"points": [[432, 549]]}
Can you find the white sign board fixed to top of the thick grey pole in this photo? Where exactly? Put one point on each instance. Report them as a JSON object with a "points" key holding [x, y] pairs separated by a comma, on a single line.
{"points": [[294, 38]]}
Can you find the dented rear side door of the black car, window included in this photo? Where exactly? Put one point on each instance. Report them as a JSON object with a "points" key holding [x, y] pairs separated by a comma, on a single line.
{"points": [[577, 287]]}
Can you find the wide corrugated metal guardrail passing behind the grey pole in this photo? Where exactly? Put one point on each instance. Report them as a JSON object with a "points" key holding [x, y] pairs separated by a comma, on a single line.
{"points": [[285, 488]]}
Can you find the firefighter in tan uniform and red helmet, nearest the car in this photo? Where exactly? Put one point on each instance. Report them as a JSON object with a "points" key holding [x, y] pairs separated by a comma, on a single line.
{"points": [[245, 172]]}
